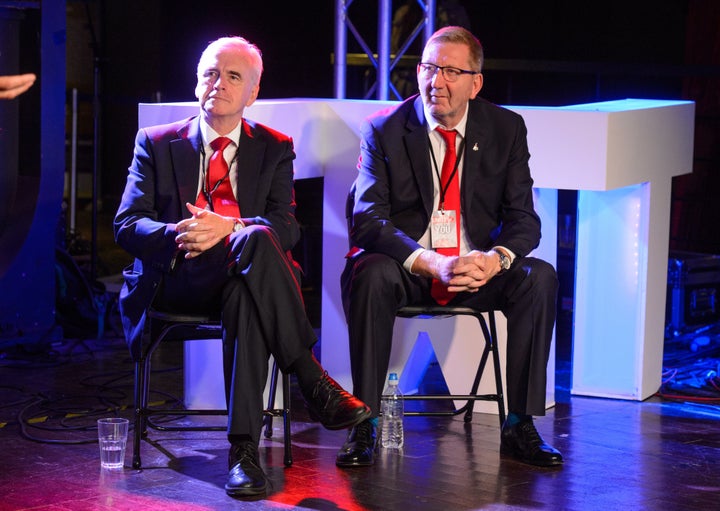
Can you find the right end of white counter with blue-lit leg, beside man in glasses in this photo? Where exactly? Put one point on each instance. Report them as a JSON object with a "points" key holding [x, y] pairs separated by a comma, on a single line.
{"points": [[621, 156]]}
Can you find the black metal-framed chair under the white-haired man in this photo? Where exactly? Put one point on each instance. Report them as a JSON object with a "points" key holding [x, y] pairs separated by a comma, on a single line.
{"points": [[187, 327]]}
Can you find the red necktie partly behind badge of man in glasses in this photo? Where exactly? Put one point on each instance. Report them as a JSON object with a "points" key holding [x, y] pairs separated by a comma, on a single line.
{"points": [[451, 202]]}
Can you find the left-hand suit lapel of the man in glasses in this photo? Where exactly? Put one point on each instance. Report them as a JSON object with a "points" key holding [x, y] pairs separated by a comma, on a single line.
{"points": [[416, 141]]}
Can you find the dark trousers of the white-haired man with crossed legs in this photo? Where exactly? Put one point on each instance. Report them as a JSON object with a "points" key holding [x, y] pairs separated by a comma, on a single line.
{"points": [[255, 285]]}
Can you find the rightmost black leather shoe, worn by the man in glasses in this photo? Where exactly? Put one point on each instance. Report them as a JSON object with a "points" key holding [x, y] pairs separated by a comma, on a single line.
{"points": [[523, 442]]}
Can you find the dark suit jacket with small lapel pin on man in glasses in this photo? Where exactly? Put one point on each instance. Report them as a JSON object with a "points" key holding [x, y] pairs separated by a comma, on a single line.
{"points": [[394, 187]]}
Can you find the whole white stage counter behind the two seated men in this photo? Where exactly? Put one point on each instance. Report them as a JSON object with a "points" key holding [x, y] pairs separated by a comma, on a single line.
{"points": [[620, 155]]}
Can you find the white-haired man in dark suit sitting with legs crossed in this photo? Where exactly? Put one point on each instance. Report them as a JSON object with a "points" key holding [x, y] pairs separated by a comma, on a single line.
{"points": [[197, 250]]}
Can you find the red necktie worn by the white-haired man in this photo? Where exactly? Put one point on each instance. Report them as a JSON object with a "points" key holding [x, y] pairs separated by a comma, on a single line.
{"points": [[217, 182]]}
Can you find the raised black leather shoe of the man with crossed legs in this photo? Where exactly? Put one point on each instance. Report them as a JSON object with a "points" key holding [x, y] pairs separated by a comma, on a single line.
{"points": [[333, 406]]}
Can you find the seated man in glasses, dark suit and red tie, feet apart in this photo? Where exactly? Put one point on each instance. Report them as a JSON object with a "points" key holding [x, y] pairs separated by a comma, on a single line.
{"points": [[416, 243]]}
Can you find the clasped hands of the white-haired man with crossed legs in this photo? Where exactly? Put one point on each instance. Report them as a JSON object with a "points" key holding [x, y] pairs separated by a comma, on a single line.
{"points": [[202, 231]]}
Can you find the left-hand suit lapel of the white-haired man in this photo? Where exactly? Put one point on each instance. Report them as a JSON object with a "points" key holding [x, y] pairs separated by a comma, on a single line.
{"points": [[185, 154]]}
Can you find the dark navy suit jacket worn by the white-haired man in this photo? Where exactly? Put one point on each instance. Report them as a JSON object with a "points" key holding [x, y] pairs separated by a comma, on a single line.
{"points": [[163, 176]]}
